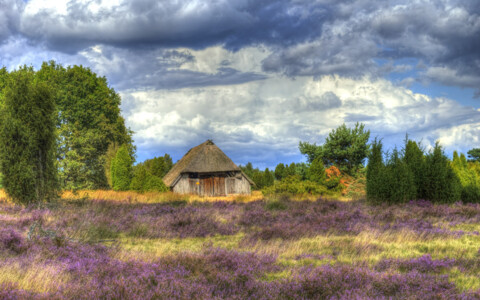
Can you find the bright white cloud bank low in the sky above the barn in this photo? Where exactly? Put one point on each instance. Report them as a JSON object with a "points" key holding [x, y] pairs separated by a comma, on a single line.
{"points": [[257, 123]]}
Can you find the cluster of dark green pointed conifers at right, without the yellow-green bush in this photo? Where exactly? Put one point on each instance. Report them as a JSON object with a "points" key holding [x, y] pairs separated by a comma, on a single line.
{"points": [[413, 176]]}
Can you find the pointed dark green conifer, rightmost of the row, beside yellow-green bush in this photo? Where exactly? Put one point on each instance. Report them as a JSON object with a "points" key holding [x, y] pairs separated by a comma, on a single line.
{"points": [[441, 182]]}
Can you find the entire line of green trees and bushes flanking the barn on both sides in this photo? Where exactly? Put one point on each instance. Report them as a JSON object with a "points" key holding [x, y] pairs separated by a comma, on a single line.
{"points": [[61, 128]]}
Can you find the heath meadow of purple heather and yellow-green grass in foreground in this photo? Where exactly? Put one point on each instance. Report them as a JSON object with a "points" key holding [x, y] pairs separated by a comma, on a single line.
{"points": [[110, 245]]}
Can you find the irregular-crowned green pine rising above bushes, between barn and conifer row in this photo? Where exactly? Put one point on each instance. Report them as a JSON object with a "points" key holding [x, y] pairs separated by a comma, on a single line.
{"points": [[344, 147]]}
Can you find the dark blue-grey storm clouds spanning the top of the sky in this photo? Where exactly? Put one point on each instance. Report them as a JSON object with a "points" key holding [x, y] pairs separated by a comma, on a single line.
{"points": [[306, 38]]}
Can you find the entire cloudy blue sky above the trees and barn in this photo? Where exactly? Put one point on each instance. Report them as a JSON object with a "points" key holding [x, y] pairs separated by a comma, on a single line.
{"points": [[258, 76]]}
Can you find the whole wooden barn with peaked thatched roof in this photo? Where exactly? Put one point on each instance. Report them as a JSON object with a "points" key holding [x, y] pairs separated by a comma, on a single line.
{"points": [[206, 171]]}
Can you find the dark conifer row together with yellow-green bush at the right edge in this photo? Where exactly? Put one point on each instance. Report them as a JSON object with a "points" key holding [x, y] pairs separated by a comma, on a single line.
{"points": [[413, 173]]}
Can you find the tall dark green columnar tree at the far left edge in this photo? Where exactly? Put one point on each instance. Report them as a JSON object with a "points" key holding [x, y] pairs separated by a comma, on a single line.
{"points": [[27, 132]]}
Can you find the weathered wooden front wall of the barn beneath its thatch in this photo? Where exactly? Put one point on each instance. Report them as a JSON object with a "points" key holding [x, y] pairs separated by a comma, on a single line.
{"points": [[214, 186]]}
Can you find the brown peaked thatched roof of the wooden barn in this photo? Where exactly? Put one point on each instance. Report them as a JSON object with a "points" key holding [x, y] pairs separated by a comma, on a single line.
{"points": [[204, 158]]}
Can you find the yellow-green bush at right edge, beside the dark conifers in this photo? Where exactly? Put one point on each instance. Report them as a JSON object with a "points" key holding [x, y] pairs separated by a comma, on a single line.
{"points": [[469, 176]]}
